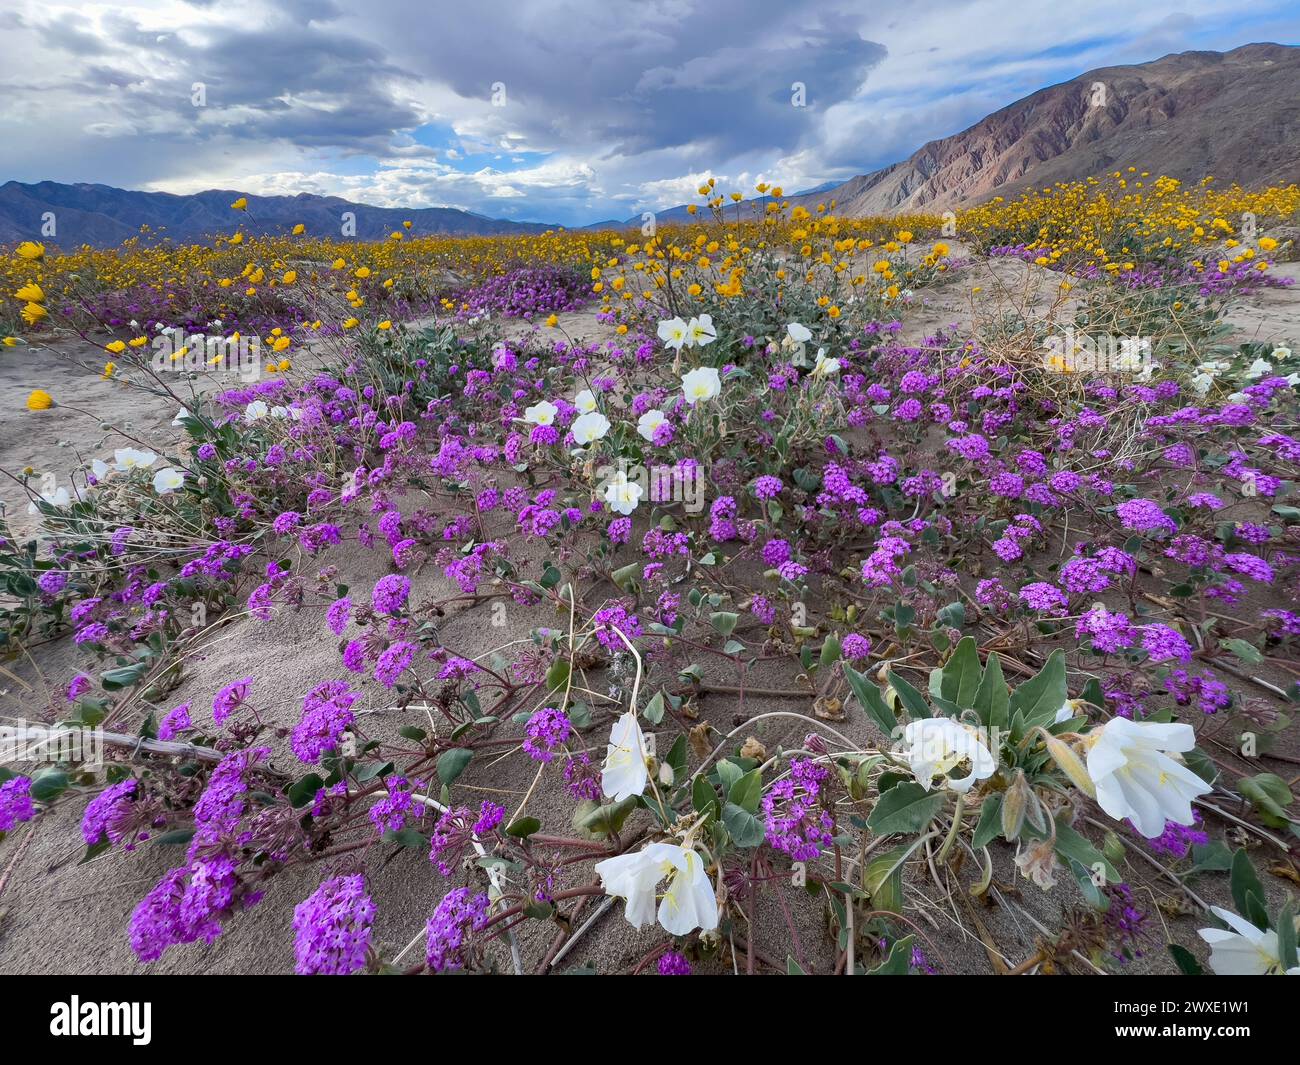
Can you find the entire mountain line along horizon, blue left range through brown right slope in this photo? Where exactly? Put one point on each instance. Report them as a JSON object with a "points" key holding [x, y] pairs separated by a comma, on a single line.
{"points": [[1233, 115]]}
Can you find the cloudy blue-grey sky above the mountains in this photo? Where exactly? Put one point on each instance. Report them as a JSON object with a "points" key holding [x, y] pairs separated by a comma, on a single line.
{"points": [[554, 111]]}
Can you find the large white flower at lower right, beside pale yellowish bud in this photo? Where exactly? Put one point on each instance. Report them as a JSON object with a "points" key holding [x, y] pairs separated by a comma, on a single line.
{"points": [[1138, 780]]}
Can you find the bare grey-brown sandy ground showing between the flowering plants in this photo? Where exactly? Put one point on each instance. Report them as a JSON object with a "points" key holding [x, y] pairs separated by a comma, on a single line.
{"points": [[62, 916]]}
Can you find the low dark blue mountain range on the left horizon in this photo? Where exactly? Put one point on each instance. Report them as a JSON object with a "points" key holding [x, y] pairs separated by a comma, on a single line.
{"points": [[105, 217]]}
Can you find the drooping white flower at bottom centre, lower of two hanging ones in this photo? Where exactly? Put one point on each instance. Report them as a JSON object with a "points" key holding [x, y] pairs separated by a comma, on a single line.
{"points": [[691, 901]]}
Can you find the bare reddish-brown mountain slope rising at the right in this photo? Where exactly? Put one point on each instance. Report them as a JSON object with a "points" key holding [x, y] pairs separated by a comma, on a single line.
{"points": [[1233, 115]]}
